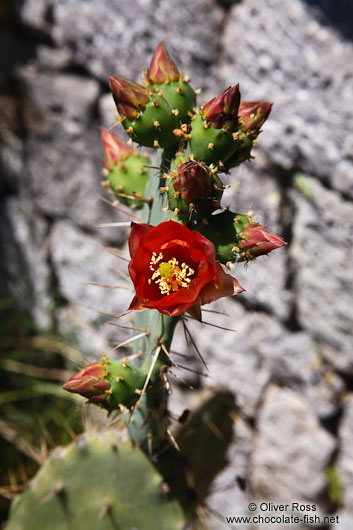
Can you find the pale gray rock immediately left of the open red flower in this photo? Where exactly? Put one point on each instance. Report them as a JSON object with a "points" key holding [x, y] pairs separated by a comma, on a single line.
{"points": [[79, 260]]}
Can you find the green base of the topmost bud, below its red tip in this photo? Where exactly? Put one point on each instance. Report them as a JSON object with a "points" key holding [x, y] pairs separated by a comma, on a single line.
{"points": [[180, 96]]}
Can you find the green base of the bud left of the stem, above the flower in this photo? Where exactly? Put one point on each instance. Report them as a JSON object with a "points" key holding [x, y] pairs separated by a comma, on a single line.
{"points": [[129, 179]]}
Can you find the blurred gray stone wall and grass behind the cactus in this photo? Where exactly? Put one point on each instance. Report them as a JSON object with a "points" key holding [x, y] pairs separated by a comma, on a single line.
{"points": [[290, 363]]}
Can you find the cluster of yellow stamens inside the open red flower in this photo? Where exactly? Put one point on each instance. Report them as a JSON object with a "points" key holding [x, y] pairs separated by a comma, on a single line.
{"points": [[169, 275]]}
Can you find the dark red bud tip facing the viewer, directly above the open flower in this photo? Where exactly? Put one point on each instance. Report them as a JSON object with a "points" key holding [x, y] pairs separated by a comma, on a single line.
{"points": [[193, 181]]}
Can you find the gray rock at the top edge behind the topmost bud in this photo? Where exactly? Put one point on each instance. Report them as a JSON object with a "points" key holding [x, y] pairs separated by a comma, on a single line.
{"points": [[119, 37]]}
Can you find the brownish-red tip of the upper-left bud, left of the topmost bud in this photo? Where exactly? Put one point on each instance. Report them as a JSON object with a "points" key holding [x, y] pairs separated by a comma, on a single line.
{"points": [[129, 97]]}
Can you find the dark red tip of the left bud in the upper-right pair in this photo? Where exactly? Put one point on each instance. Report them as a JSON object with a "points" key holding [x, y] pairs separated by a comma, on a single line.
{"points": [[222, 111]]}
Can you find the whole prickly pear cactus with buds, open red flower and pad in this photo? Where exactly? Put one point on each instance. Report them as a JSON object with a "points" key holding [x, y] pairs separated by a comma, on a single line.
{"points": [[175, 267]]}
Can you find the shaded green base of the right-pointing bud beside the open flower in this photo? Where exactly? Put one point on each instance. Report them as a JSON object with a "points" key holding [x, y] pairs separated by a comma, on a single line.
{"points": [[224, 230]]}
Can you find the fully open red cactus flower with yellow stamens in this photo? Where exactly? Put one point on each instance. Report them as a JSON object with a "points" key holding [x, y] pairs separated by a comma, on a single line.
{"points": [[174, 269]]}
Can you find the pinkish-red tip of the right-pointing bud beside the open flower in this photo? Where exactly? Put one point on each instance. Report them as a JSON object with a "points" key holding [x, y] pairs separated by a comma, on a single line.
{"points": [[256, 240]]}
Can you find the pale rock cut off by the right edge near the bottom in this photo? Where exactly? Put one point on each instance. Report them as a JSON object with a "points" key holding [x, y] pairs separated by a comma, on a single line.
{"points": [[345, 457]]}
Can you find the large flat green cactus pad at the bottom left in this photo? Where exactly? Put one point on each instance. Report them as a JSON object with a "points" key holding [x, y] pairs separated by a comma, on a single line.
{"points": [[92, 484]]}
